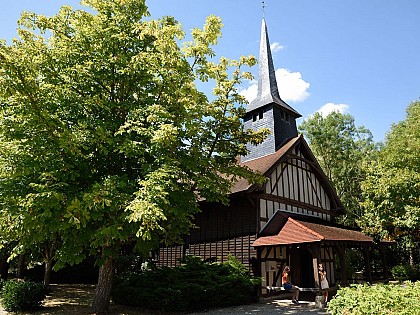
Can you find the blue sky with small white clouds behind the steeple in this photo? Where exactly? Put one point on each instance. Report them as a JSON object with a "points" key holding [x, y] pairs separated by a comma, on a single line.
{"points": [[357, 56]]}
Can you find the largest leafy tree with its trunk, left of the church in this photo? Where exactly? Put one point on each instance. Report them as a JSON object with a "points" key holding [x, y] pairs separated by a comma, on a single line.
{"points": [[105, 139]]}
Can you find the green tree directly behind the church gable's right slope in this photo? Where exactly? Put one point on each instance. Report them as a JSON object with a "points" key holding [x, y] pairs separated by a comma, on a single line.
{"points": [[341, 148]]}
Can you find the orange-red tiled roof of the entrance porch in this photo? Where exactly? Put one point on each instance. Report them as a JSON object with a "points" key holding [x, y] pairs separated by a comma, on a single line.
{"points": [[297, 231]]}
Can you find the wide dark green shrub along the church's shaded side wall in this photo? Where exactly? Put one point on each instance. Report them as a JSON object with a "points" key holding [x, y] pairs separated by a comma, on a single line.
{"points": [[195, 285]]}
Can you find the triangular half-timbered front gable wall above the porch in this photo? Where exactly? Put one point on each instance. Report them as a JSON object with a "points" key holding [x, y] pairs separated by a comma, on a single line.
{"points": [[296, 184]]}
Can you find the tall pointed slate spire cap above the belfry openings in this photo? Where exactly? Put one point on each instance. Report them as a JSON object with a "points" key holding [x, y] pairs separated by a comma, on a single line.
{"points": [[267, 84]]}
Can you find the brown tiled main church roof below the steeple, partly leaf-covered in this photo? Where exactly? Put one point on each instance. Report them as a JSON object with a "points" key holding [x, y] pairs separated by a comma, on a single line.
{"points": [[263, 164]]}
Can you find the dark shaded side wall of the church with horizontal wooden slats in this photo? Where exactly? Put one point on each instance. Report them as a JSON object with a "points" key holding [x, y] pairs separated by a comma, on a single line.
{"points": [[220, 231]]}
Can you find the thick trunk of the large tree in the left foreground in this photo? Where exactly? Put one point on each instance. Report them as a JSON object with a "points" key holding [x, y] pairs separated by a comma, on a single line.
{"points": [[102, 295]]}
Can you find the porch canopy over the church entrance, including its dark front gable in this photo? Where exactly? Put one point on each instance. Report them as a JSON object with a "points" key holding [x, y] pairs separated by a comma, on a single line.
{"points": [[285, 230]]}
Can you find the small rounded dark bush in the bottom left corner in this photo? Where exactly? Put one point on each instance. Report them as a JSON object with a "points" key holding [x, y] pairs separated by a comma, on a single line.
{"points": [[22, 296]]}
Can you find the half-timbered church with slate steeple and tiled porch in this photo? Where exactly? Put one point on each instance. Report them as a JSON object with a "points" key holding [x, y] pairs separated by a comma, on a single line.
{"points": [[290, 219]]}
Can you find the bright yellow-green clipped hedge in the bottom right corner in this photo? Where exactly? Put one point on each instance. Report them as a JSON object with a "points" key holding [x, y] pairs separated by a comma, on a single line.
{"points": [[378, 299]]}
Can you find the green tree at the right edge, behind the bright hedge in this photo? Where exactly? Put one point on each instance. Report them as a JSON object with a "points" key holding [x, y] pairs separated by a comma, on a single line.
{"points": [[391, 190]]}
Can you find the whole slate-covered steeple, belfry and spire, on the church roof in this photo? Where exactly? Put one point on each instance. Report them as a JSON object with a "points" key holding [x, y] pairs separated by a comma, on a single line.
{"points": [[268, 110]]}
